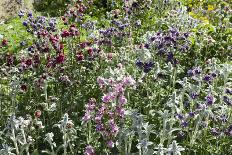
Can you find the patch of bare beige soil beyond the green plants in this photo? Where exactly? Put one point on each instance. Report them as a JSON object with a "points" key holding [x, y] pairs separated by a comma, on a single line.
{"points": [[9, 8]]}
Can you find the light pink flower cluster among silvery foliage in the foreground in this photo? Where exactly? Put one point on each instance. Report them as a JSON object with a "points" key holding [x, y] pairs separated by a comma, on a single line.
{"points": [[110, 113]]}
